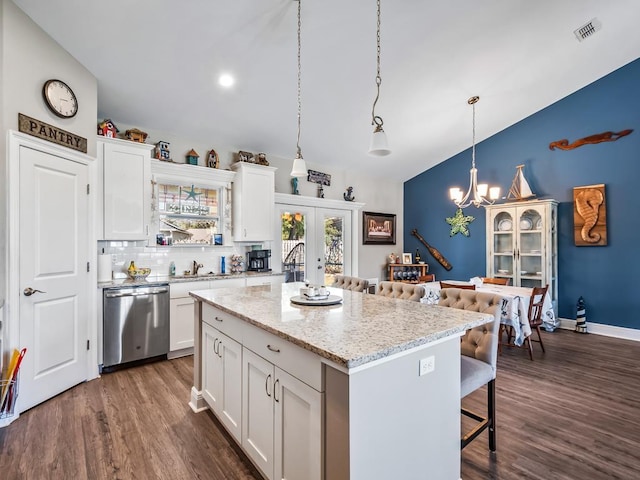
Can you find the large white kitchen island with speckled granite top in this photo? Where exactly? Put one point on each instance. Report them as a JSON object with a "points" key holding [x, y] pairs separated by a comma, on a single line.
{"points": [[333, 392]]}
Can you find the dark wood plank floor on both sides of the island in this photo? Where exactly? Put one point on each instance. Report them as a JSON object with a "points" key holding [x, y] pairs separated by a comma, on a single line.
{"points": [[573, 413]]}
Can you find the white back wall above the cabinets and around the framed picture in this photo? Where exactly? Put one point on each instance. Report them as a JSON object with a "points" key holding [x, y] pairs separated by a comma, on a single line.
{"points": [[379, 195]]}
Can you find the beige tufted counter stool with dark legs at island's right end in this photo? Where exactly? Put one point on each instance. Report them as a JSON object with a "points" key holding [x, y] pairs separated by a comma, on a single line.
{"points": [[479, 352]]}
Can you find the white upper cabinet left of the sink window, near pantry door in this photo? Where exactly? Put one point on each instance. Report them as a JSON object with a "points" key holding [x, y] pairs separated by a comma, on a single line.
{"points": [[126, 189]]}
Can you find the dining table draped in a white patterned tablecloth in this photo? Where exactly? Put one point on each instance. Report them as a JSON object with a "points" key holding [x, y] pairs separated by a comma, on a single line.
{"points": [[514, 309]]}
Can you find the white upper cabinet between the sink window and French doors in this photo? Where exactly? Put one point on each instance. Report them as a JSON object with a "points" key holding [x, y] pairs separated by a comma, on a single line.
{"points": [[253, 202]]}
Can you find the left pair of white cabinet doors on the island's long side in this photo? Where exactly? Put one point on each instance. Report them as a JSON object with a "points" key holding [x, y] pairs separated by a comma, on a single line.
{"points": [[222, 378]]}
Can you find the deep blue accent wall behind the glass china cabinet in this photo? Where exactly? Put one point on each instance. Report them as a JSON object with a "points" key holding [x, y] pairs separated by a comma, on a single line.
{"points": [[605, 276]]}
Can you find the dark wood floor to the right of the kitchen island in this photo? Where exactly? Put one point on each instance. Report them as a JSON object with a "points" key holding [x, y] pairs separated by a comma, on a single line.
{"points": [[572, 413]]}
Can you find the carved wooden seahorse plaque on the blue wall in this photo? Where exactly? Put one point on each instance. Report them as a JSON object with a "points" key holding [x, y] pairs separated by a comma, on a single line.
{"points": [[589, 216]]}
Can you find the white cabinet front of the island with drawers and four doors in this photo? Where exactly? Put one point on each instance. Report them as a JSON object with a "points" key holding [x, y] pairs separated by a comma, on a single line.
{"points": [[280, 397]]}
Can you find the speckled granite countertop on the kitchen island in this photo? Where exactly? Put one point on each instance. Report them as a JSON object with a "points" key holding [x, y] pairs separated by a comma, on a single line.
{"points": [[362, 329]]}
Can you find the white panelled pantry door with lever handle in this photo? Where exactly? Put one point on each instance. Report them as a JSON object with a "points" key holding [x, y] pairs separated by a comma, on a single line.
{"points": [[53, 259]]}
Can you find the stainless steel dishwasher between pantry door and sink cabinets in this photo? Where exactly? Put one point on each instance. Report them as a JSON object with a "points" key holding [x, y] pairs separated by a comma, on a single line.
{"points": [[135, 324]]}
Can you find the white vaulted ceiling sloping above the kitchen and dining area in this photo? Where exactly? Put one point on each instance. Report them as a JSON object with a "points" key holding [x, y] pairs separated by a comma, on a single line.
{"points": [[157, 63]]}
